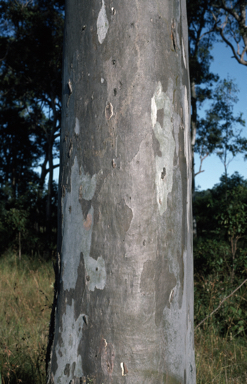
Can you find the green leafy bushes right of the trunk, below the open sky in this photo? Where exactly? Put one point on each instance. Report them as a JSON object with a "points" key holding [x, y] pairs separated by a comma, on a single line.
{"points": [[220, 255]]}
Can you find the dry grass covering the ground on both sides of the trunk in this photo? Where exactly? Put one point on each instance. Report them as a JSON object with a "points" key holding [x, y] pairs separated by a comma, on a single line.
{"points": [[26, 288]]}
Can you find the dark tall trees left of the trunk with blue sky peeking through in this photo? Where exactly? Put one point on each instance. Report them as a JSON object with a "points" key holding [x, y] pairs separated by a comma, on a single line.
{"points": [[30, 75]]}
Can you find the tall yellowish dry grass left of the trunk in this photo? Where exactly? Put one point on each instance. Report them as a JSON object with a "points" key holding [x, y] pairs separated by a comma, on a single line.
{"points": [[26, 289]]}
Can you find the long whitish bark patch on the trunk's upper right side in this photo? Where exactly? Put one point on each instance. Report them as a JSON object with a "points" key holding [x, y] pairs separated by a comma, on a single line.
{"points": [[164, 163]]}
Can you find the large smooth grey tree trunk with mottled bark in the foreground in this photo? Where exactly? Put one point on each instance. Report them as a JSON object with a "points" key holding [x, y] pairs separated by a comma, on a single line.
{"points": [[123, 310]]}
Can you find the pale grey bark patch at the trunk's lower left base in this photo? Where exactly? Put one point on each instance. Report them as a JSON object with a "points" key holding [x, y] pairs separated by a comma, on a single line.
{"points": [[67, 350]]}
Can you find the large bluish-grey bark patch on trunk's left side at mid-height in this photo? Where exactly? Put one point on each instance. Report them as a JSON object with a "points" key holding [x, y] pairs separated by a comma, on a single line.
{"points": [[77, 233]]}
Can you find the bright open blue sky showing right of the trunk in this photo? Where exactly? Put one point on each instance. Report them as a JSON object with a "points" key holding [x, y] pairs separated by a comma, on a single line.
{"points": [[224, 65]]}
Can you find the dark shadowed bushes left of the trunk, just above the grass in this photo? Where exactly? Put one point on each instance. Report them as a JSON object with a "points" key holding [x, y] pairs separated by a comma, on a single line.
{"points": [[26, 216]]}
